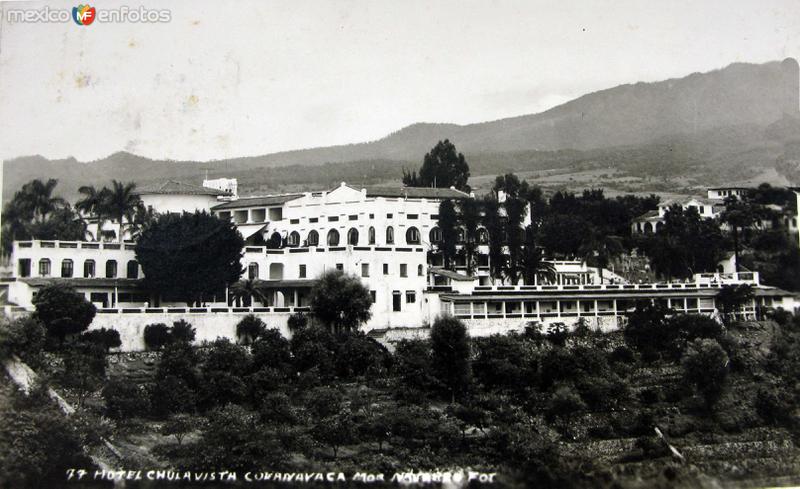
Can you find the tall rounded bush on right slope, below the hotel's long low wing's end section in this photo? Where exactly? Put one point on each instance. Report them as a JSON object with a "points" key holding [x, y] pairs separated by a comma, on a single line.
{"points": [[705, 365]]}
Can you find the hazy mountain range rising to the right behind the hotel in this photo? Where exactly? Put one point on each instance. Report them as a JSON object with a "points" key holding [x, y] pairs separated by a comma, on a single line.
{"points": [[739, 120]]}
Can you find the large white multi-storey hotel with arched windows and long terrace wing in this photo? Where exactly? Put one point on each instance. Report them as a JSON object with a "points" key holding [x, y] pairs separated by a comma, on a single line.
{"points": [[384, 235]]}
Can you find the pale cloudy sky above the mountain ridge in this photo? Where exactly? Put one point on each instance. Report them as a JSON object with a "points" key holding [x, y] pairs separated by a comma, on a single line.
{"points": [[226, 79]]}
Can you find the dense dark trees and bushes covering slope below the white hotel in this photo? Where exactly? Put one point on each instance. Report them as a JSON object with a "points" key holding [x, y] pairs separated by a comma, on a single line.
{"points": [[533, 407]]}
